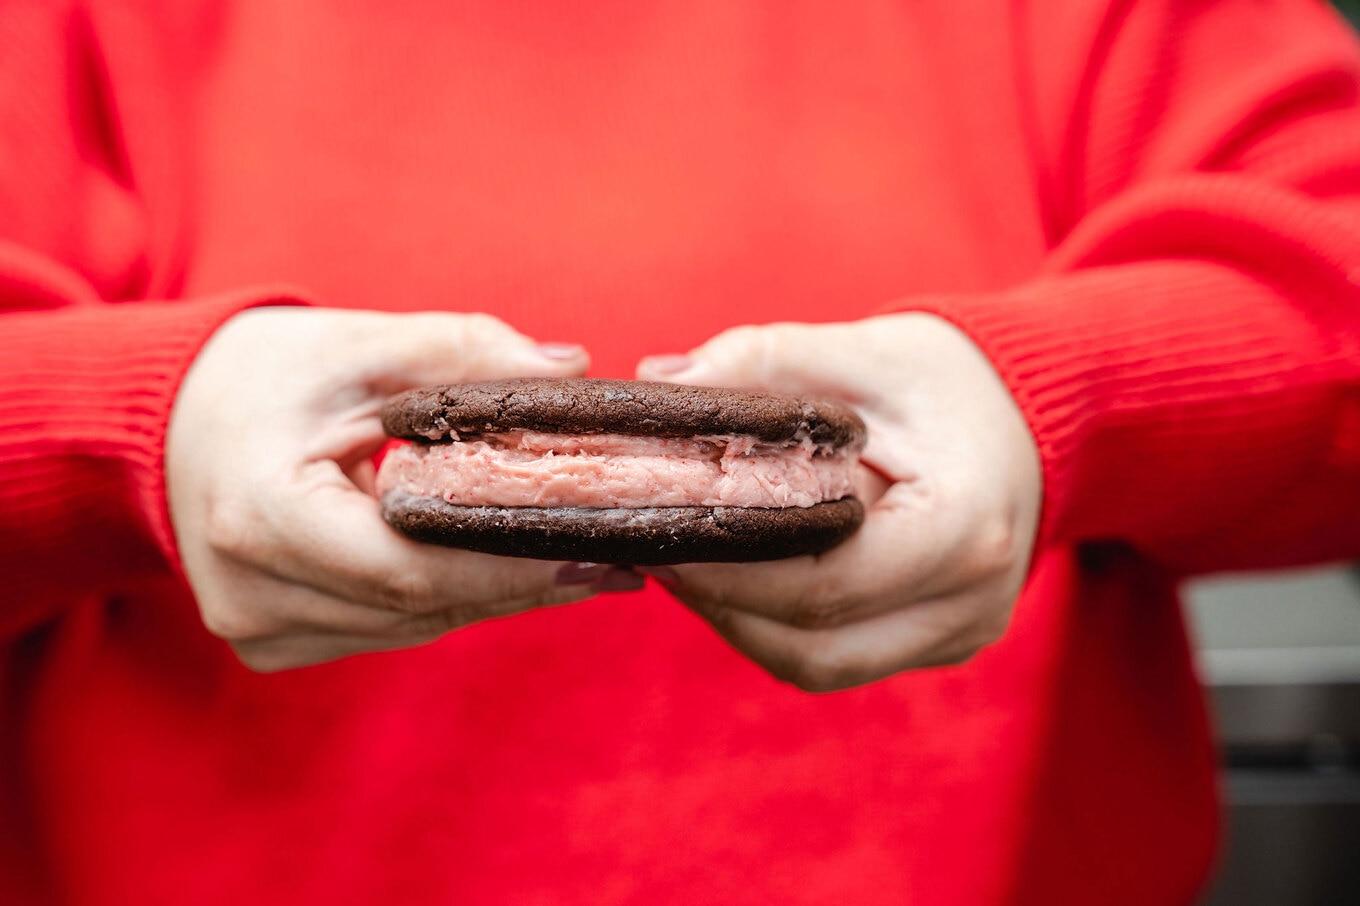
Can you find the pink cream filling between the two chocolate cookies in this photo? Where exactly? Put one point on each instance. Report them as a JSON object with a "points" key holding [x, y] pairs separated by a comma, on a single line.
{"points": [[606, 471]]}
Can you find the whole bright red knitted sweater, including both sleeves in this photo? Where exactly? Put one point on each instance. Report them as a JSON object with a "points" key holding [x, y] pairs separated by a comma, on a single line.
{"points": [[1149, 216]]}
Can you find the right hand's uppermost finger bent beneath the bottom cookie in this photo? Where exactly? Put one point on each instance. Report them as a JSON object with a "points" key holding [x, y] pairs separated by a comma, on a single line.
{"points": [[912, 548]]}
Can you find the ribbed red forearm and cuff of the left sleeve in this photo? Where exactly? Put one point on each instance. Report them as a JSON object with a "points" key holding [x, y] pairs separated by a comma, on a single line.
{"points": [[85, 403]]}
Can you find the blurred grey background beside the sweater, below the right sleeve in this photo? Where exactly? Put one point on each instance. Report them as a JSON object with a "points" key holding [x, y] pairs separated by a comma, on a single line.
{"points": [[1280, 659]]}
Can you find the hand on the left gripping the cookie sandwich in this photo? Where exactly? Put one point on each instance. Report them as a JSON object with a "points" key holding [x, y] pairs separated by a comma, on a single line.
{"points": [[270, 485]]}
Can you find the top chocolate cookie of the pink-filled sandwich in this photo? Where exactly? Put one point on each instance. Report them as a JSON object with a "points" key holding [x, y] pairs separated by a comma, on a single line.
{"points": [[595, 406]]}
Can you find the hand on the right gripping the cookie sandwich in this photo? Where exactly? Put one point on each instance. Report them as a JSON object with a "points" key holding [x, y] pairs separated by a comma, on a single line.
{"points": [[934, 573]]}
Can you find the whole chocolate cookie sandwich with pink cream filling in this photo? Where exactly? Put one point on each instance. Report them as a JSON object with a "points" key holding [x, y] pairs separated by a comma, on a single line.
{"points": [[621, 471]]}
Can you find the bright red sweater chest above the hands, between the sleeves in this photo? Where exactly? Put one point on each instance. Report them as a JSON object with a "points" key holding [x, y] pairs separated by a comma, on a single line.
{"points": [[634, 178]]}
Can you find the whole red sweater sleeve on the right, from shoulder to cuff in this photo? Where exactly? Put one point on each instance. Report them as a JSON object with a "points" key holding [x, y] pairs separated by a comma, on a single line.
{"points": [[1189, 357]]}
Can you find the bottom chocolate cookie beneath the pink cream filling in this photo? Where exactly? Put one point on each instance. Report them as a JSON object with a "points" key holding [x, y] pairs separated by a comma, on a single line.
{"points": [[639, 537]]}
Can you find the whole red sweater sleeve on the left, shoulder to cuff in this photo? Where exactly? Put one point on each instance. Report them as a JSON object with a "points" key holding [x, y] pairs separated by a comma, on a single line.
{"points": [[89, 363]]}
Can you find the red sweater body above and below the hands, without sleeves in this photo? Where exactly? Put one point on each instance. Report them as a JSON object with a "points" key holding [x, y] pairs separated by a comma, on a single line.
{"points": [[636, 178]]}
